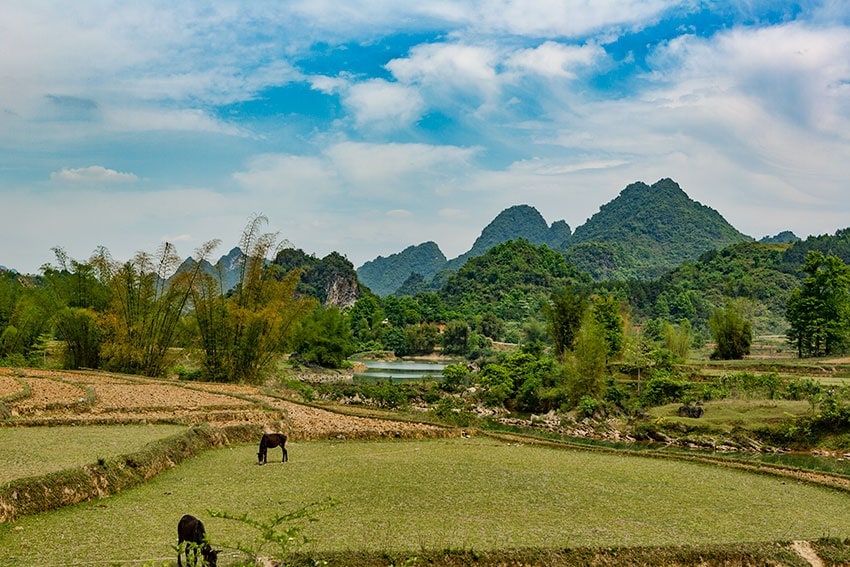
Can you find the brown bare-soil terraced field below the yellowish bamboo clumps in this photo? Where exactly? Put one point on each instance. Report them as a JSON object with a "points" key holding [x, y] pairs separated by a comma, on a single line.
{"points": [[92, 397]]}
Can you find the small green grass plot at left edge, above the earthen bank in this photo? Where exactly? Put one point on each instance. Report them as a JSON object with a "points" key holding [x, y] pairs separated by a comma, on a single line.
{"points": [[30, 451]]}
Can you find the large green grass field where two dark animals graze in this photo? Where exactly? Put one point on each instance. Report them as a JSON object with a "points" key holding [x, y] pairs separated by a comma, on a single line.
{"points": [[406, 496]]}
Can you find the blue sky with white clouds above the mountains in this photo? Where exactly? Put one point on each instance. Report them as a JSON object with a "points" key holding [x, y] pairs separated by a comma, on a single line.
{"points": [[366, 126]]}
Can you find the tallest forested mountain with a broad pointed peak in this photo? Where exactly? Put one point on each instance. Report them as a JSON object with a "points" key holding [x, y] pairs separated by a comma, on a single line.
{"points": [[647, 231]]}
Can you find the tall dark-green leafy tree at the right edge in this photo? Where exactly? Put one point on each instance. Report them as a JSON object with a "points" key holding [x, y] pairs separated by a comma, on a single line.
{"points": [[819, 310]]}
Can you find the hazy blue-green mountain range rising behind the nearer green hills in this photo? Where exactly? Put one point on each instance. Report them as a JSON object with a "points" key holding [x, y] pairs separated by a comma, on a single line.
{"points": [[643, 233]]}
